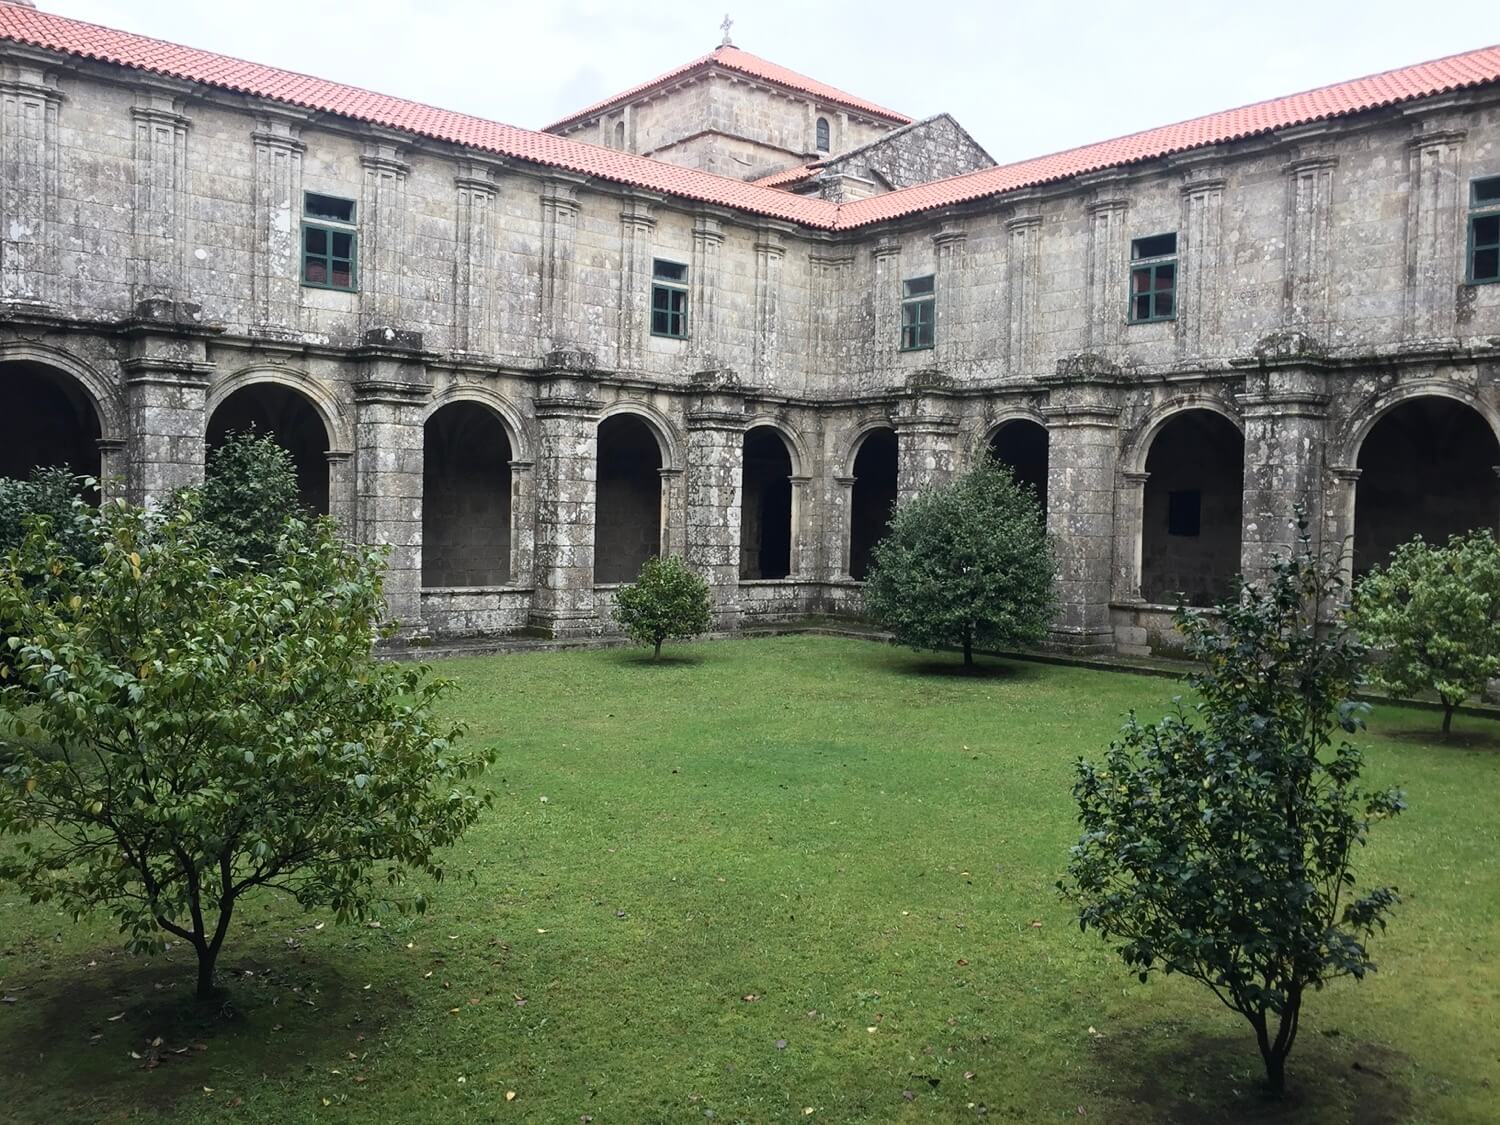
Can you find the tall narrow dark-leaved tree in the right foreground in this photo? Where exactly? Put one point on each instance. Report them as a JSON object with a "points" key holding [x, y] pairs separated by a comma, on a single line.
{"points": [[1217, 844]]}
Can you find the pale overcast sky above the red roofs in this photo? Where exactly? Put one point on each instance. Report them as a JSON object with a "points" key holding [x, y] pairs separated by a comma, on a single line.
{"points": [[1025, 79]]}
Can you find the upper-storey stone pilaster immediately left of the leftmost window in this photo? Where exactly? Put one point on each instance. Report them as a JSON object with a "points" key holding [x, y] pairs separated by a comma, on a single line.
{"points": [[277, 272]]}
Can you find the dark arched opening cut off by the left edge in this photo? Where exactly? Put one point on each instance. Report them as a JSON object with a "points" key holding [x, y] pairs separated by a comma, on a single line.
{"points": [[49, 422]]}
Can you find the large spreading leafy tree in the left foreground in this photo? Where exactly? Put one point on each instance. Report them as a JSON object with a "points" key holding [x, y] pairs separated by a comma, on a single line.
{"points": [[214, 733]]}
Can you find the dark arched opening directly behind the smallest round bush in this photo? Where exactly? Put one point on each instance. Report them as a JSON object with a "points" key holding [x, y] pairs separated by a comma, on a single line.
{"points": [[628, 508]]}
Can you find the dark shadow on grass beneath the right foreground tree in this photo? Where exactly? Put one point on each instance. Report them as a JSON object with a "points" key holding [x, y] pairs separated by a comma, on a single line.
{"points": [[1177, 1076]]}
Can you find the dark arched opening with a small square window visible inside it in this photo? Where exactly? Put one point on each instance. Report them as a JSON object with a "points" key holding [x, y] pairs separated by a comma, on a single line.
{"points": [[1192, 515]]}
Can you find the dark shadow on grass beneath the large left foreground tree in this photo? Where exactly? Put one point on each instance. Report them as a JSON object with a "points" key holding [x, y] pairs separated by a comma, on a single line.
{"points": [[127, 1037]]}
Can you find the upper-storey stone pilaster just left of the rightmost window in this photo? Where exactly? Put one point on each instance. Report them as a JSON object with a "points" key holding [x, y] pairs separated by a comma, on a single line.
{"points": [[1433, 233]]}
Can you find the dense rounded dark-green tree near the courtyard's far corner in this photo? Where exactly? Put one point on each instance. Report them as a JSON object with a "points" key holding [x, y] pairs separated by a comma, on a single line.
{"points": [[965, 565]]}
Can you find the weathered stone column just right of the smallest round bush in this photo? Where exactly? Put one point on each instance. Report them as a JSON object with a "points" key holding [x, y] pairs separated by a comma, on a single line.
{"points": [[716, 430]]}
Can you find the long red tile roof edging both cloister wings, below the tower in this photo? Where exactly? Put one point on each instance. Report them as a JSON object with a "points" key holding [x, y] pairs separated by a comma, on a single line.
{"points": [[91, 41]]}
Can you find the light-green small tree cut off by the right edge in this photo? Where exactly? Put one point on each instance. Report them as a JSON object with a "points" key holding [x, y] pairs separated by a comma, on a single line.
{"points": [[1435, 614]]}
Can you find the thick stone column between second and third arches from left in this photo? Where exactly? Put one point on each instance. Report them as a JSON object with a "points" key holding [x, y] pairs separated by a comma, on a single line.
{"points": [[391, 398]]}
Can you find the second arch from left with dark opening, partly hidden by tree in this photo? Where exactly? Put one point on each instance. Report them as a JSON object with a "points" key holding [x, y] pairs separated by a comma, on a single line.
{"points": [[293, 409]]}
